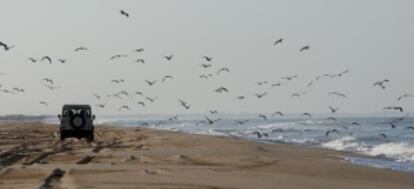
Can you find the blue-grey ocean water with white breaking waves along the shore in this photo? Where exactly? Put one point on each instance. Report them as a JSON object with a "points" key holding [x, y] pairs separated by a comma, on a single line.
{"points": [[395, 151]]}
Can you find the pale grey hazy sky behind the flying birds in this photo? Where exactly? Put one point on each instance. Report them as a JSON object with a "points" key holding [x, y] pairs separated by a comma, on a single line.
{"points": [[371, 38]]}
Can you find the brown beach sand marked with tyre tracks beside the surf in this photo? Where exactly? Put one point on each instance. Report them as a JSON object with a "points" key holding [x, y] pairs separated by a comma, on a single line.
{"points": [[32, 156]]}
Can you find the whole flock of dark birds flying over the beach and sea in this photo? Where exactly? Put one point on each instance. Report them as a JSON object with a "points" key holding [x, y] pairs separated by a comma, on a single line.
{"points": [[207, 64]]}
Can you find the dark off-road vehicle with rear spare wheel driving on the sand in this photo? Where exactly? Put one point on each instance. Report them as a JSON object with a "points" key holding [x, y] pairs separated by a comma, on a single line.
{"points": [[76, 121]]}
